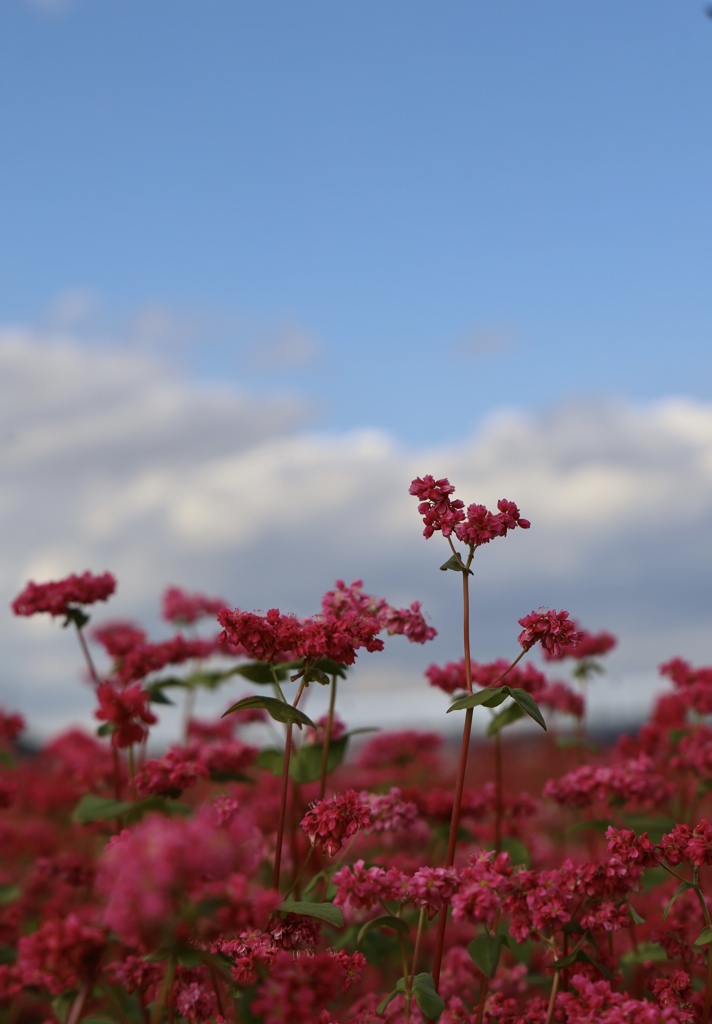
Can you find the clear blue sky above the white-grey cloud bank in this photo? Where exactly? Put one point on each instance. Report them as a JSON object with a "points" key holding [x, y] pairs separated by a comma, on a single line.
{"points": [[423, 211]]}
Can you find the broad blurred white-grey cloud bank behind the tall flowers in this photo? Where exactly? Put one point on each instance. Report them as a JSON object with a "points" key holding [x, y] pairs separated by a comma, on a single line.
{"points": [[111, 460]]}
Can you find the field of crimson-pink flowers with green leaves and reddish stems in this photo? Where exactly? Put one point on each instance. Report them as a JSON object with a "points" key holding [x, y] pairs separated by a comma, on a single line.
{"points": [[270, 869]]}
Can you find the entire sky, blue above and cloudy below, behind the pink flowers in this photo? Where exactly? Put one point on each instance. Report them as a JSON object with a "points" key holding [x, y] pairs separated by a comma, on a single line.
{"points": [[264, 264]]}
